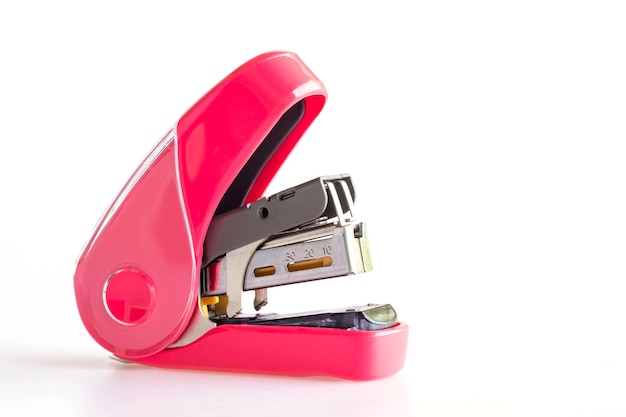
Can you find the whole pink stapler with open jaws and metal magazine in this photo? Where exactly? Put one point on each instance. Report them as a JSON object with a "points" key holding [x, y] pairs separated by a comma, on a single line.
{"points": [[160, 281]]}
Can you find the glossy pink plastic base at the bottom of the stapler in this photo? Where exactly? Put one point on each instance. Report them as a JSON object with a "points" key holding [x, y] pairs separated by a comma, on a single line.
{"points": [[294, 351]]}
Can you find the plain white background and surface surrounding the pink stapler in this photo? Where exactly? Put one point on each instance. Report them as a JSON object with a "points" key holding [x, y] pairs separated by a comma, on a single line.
{"points": [[486, 142]]}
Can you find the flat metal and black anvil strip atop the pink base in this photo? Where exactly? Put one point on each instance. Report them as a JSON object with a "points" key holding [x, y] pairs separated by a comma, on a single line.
{"points": [[369, 317]]}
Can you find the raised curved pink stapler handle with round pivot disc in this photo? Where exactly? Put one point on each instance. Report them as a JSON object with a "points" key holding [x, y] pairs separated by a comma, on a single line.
{"points": [[137, 279]]}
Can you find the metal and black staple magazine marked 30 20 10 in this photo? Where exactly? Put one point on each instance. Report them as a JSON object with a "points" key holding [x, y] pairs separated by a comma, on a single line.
{"points": [[304, 233]]}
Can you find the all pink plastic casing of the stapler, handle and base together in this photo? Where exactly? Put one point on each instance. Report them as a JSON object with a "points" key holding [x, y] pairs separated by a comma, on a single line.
{"points": [[137, 280]]}
